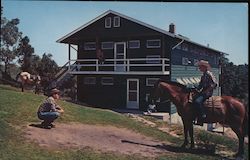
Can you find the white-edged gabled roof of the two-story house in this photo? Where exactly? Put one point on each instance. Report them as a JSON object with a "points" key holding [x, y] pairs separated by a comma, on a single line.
{"points": [[136, 21]]}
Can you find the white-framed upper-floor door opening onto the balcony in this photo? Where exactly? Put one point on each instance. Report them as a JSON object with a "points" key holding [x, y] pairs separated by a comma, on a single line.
{"points": [[120, 55]]}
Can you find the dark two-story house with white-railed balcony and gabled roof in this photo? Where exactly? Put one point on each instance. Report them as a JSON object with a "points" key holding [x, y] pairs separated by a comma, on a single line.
{"points": [[120, 58]]}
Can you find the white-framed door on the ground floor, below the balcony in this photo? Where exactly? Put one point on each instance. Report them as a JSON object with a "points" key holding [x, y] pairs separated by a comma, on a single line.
{"points": [[133, 93]]}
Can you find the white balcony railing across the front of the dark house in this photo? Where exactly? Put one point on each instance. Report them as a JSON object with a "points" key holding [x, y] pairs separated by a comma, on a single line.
{"points": [[120, 66]]}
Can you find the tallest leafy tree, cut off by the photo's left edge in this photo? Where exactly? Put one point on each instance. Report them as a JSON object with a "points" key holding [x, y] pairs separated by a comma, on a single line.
{"points": [[10, 37]]}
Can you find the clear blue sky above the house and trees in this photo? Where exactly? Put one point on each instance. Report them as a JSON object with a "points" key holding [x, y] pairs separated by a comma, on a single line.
{"points": [[224, 26]]}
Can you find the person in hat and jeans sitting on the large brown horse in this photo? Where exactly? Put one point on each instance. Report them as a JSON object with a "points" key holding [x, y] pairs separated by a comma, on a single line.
{"points": [[205, 88]]}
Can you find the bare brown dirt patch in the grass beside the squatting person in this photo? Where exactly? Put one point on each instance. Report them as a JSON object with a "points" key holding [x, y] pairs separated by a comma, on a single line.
{"points": [[100, 138]]}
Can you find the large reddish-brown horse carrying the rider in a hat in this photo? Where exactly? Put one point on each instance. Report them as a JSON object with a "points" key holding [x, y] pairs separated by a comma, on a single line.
{"points": [[231, 111]]}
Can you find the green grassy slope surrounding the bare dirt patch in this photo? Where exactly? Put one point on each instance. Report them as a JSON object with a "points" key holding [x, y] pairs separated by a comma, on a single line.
{"points": [[17, 110]]}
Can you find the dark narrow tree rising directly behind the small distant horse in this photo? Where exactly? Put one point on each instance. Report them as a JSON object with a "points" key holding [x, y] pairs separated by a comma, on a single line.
{"points": [[25, 53]]}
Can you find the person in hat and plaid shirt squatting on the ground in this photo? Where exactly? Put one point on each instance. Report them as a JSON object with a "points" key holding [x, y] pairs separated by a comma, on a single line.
{"points": [[49, 110]]}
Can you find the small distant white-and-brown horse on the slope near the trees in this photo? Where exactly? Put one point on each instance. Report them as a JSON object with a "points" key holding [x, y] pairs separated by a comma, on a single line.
{"points": [[26, 78]]}
